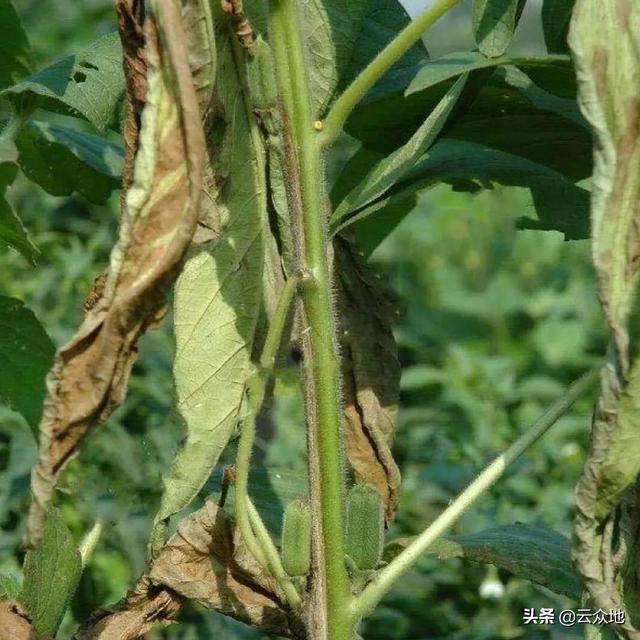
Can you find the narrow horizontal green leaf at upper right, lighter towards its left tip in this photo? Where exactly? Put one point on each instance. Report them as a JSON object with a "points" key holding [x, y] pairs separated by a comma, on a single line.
{"points": [[455, 64]]}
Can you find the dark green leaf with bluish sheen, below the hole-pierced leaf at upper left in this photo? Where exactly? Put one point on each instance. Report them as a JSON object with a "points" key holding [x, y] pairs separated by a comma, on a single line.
{"points": [[63, 161]]}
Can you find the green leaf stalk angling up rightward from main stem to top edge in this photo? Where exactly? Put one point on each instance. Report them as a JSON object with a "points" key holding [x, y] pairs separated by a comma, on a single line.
{"points": [[352, 95]]}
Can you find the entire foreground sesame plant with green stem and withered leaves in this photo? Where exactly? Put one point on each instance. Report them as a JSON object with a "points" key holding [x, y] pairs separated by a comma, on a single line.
{"points": [[217, 121]]}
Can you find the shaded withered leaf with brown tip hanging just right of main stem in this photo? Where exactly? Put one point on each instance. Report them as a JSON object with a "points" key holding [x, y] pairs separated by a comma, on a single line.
{"points": [[371, 374]]}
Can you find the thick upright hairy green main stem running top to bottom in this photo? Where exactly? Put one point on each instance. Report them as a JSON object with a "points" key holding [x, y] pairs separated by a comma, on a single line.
{"points": [[321, 355]]}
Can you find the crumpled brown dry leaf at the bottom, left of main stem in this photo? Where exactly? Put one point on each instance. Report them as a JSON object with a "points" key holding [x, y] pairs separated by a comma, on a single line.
{"points": [[206, 561]]}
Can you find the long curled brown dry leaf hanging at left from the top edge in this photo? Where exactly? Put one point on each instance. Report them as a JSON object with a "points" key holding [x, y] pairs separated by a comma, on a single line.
{"points": [[90, 373]]}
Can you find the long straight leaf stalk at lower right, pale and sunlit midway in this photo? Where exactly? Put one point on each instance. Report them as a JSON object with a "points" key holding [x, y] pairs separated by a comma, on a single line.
{"points": [[384, 581]]}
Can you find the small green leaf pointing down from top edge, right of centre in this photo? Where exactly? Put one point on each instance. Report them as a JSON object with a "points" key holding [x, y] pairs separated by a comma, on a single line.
{"points": [[494, 22]]}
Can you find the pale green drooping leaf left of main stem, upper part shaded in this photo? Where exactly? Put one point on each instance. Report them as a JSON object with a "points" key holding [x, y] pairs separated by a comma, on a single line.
{"points": [[217, 301]]}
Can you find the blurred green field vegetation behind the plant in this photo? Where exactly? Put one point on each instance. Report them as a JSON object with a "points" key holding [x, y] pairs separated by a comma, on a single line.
{"points": [[493, 323]]}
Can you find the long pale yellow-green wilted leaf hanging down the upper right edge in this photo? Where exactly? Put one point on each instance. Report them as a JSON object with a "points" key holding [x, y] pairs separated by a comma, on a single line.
{"points": [[605, 38]]}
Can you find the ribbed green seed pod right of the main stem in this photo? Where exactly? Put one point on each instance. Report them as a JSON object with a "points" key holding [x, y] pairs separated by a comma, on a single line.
{"points": [[365, 526]]}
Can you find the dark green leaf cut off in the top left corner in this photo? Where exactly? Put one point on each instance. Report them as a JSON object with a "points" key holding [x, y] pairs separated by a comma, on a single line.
{"points": [[16, 57]]}
